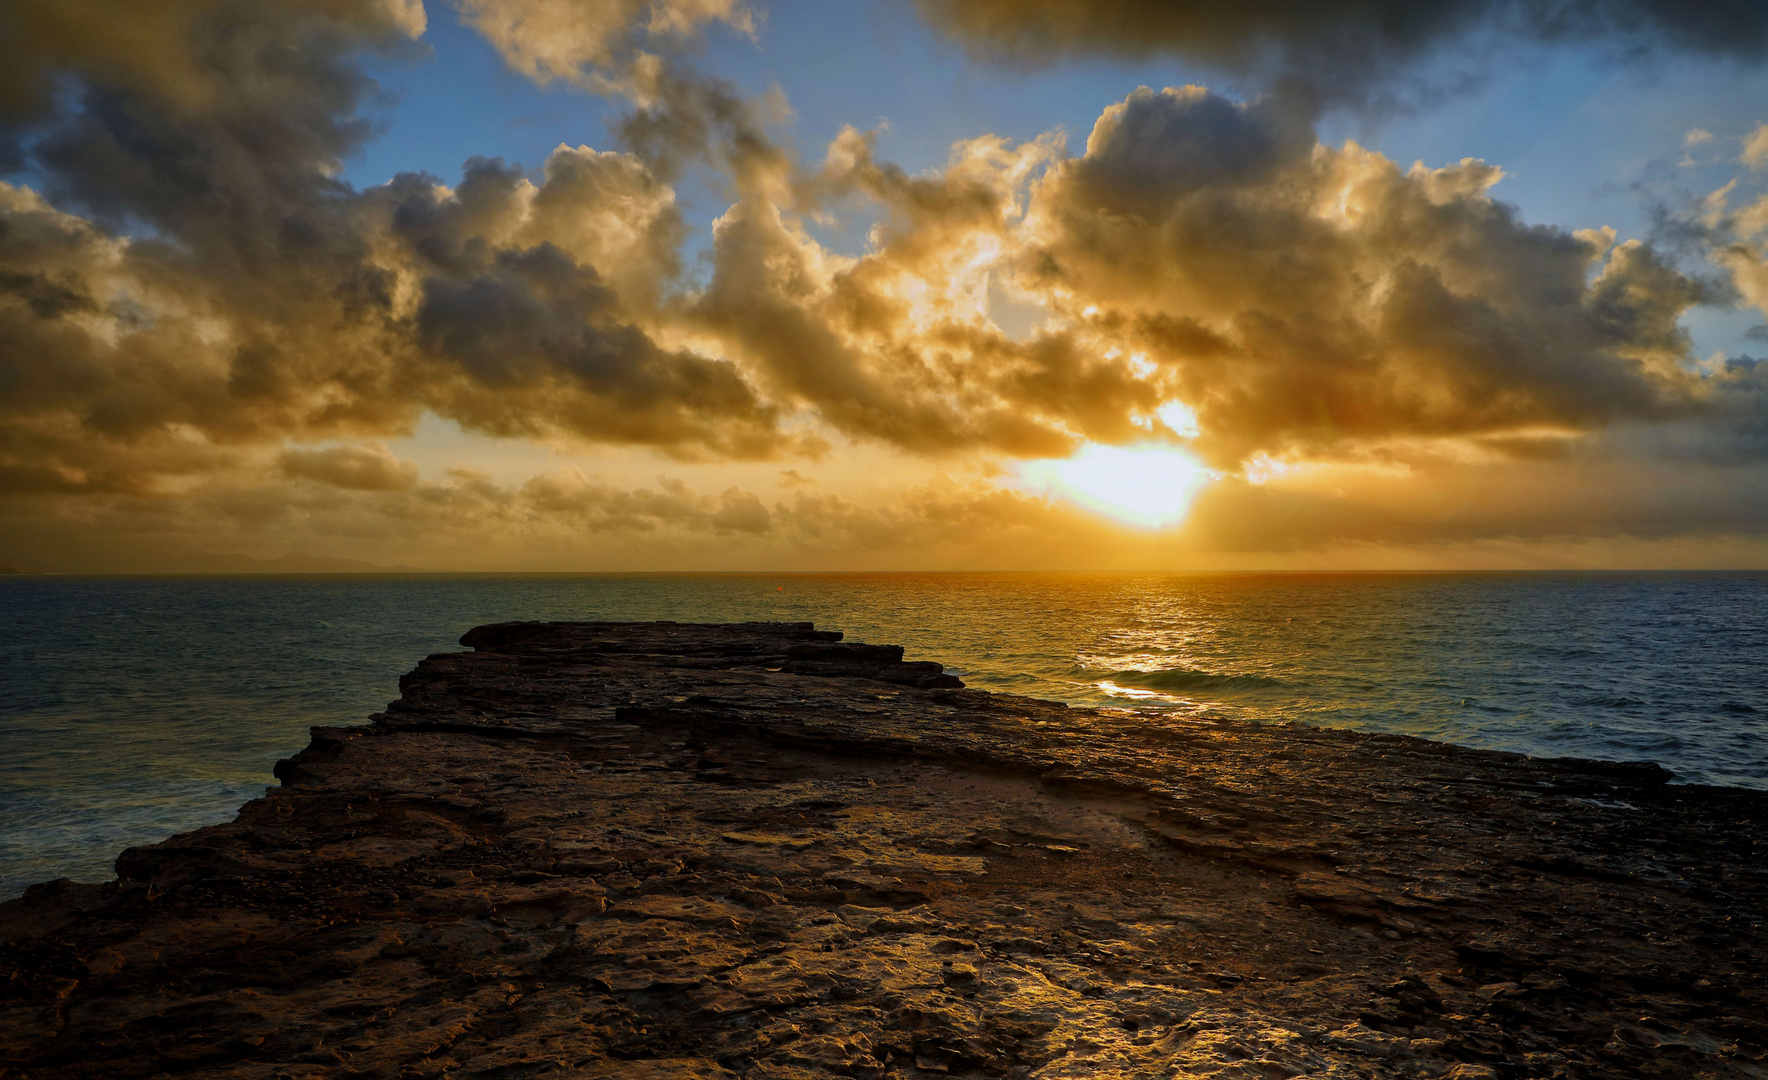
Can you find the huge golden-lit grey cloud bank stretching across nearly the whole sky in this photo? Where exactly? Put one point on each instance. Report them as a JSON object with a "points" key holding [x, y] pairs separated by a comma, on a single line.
{"points": [[1299, 300]]}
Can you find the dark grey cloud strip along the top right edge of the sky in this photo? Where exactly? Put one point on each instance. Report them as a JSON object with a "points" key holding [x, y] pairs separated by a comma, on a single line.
{"points": [[1339, 50]]}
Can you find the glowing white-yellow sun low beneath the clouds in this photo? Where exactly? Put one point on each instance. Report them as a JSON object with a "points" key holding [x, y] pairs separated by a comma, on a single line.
{"points": [[1148, 485]]}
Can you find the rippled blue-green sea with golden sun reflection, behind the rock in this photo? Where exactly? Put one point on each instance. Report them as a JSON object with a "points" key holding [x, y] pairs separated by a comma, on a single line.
{"points": [[139, 708]]}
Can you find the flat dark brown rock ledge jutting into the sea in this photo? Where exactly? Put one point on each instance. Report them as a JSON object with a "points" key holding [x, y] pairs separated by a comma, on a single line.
{"points": [[657, 851]]}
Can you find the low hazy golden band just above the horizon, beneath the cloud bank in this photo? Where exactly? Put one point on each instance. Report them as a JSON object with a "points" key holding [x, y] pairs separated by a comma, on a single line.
{"points": [[1320, 515]]}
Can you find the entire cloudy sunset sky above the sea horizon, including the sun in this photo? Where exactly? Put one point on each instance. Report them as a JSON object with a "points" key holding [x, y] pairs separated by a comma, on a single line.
{"points": [[692, 285]]}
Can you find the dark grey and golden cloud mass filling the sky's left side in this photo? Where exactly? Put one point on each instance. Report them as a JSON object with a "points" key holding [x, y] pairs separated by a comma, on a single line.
{"points": [[263, 300]]}
